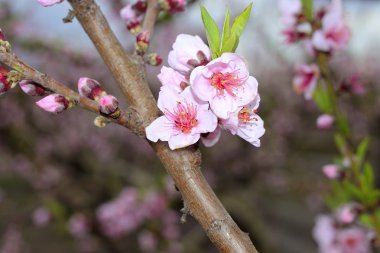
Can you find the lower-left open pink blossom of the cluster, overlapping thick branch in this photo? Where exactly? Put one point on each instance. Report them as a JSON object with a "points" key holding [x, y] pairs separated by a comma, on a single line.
{"points": [[185, 119]]}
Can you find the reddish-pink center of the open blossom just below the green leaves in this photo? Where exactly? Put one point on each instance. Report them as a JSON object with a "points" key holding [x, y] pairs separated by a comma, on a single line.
{"points": [[226, 82]]}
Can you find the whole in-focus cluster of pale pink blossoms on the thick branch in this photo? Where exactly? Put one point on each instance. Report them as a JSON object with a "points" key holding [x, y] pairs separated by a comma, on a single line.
{"points": [[200, 96]]}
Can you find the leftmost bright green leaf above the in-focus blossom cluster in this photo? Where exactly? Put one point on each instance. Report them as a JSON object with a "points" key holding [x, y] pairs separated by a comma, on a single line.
{"points": [[212, 32]]}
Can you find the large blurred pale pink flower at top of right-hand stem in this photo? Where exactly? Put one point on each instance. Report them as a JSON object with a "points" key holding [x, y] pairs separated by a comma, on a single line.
{"points": [[334, 33]]}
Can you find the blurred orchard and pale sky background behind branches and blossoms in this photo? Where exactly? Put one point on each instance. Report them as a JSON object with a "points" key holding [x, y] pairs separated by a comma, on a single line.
{"points": [[68, 186]]}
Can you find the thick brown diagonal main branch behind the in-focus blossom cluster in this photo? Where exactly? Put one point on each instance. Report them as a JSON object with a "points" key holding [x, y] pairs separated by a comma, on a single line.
{"points": [[183, 164]]}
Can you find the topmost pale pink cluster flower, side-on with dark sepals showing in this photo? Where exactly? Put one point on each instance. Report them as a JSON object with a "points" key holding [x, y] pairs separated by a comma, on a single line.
{"points": [[188, 52]]}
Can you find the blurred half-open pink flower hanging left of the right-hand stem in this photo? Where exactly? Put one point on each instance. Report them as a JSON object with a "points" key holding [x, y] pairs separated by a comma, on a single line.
{"points": [[305, 80]]}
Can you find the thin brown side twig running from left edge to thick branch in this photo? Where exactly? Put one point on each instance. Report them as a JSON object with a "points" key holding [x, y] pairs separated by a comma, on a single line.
{"points": [[126, 118]]}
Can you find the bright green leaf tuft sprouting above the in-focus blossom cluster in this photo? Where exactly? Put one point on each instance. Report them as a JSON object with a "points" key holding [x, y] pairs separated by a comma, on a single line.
{"points": [[229, 40]]}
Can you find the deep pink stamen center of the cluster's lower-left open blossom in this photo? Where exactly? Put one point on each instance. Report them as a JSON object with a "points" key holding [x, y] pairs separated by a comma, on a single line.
{"points": [[184, 117]]}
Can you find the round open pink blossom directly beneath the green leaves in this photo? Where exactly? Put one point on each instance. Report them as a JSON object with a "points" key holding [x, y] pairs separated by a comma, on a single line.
{"points": [[225, 83]]}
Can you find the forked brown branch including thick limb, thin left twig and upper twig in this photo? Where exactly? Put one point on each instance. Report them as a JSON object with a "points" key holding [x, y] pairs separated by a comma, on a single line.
{"points": [[183, 164]]}
